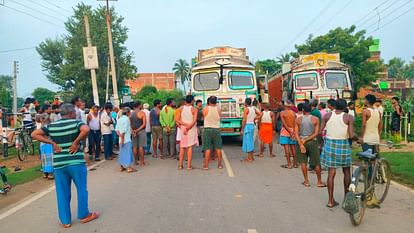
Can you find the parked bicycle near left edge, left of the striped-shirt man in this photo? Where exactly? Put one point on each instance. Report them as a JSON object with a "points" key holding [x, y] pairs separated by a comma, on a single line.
{"points": [[24, 143]]}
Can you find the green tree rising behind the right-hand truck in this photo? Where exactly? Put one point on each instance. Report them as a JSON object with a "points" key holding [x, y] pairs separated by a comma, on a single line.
{"points": [[354, 51]]}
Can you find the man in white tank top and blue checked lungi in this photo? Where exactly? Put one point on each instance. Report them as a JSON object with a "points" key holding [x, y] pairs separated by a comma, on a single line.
{"points": [[336, 152]]}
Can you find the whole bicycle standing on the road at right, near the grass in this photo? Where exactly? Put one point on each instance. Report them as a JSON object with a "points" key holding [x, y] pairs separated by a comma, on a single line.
{"points": [[371, 179]]}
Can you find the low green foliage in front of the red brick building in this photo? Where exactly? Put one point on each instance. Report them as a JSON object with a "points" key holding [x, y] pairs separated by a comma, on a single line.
{"points": [[149, 93]]}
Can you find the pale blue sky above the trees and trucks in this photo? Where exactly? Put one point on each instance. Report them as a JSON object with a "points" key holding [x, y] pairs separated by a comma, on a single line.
{"points": [[162, 31]]}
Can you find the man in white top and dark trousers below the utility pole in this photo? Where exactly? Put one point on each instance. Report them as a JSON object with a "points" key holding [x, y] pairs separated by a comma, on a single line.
{"points": [[95, 132]]}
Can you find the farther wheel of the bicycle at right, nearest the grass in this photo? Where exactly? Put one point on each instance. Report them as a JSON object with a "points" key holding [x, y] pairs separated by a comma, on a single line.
{"points": [[382, 180]]}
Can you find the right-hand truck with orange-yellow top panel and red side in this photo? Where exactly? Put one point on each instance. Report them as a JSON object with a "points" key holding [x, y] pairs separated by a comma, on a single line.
{"points": [[319, 76]]}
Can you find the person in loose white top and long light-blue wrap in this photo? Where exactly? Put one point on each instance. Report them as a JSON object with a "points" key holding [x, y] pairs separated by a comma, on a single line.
{"points": [[123, 130]]}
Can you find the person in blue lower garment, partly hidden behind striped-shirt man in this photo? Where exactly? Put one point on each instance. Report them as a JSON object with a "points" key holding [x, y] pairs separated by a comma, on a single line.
{"points": [[46, 150]]}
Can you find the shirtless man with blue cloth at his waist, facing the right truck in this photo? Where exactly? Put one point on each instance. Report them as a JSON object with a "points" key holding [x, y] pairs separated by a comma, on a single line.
{"points": [[287, 134]]}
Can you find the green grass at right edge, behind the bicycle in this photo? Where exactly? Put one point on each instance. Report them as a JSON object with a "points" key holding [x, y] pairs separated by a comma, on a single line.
{"points": [[402, 164]]}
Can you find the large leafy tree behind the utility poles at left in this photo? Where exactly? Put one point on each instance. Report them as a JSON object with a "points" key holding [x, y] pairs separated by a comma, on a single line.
{"points": [[62, 58]]}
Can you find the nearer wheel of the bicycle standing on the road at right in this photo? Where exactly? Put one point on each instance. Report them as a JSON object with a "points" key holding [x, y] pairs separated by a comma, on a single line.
{"points": [[360, 195]]}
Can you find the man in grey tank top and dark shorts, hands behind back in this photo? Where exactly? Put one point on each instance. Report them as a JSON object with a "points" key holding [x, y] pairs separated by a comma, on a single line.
{"points": [[306, 132]]}
